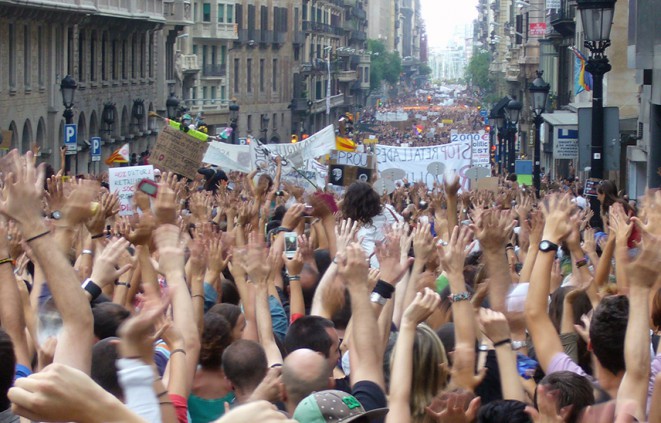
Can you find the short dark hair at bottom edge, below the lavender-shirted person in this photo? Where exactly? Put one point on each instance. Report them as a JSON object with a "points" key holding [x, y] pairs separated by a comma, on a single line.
{"points": [[572, 390]]}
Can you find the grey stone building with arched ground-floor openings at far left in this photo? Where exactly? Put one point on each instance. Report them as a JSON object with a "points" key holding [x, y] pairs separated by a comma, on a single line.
{"points": [[115, 52]]}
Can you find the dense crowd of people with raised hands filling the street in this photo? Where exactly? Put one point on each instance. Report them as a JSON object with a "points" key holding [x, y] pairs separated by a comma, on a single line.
{"points": [[241, 298]]}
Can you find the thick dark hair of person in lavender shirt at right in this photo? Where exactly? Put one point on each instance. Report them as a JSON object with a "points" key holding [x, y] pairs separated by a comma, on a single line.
{"points": [[607, 332]]}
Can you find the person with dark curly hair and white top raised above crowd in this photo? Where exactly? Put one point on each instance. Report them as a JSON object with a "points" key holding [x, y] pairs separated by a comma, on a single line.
{"points": [[363, 205]]}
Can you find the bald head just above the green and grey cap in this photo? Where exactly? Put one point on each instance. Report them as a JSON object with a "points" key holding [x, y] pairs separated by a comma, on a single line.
{"points": [[304, 372]]}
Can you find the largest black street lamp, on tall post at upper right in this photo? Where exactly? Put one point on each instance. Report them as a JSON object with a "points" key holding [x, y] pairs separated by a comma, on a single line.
{"points": [[597, 18]]}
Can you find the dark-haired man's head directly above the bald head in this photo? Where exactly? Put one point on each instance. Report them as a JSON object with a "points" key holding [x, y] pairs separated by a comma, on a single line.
{"points": [[317, 334]]}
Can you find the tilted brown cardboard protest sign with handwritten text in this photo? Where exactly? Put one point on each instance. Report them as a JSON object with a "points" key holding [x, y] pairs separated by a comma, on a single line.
{"points": [[177, 152]]}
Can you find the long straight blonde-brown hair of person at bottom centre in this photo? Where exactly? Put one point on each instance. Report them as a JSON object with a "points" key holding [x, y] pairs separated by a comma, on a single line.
{"points": [[428, 376]]}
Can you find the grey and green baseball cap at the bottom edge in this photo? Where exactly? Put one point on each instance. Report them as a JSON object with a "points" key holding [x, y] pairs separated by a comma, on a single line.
{"points": [[333, 406]]}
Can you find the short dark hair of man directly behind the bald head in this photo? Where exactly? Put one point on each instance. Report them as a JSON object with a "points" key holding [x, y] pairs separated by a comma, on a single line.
{"points": [[309, 332]]}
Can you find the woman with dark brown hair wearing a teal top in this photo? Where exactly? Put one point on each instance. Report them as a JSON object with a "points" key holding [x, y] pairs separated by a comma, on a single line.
{"points": [[210, 388]]}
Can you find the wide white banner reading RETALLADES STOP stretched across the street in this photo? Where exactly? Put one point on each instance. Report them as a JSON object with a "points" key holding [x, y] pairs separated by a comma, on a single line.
{"points": [[455, 157]]}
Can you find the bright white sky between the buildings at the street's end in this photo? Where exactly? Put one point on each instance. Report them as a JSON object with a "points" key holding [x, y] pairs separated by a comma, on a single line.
{"points": [[442, 16]]}
